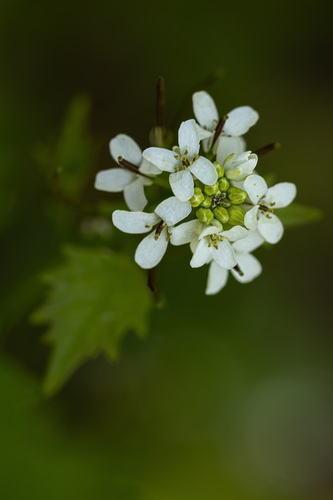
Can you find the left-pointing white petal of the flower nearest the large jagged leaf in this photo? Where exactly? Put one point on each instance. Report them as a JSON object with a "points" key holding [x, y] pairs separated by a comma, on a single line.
{"points": [[134, 222]]}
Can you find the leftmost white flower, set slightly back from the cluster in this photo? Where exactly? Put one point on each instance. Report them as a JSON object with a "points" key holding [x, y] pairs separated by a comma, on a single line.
{"points": [[115, 180]]}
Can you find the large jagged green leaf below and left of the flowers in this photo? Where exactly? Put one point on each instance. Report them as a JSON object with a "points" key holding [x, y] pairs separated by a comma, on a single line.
{"points": [[95, 297]]}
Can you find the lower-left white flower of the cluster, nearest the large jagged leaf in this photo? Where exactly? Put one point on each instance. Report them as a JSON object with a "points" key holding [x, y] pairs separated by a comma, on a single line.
{"points": [[152, 248]]}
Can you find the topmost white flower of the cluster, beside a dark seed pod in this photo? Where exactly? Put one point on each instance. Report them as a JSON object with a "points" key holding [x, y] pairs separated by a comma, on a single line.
{"points": [[238, 123]]}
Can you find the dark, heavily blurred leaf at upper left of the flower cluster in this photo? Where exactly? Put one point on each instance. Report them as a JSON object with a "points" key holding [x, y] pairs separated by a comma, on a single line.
{"points": [[70, 155]]}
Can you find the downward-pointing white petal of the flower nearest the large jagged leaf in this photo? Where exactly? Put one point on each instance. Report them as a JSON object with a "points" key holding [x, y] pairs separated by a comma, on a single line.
{"points": [[150, 250]]}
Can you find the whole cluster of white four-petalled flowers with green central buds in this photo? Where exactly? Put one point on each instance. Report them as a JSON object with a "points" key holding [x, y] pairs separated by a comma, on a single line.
{"points": [[213, 183]]}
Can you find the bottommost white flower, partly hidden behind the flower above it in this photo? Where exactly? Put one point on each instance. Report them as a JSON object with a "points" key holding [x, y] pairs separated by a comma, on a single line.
{"points": [[246, 269]]}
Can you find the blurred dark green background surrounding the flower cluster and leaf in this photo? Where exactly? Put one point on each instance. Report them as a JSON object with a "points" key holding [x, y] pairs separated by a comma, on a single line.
{"points": [[229, 397]]}
